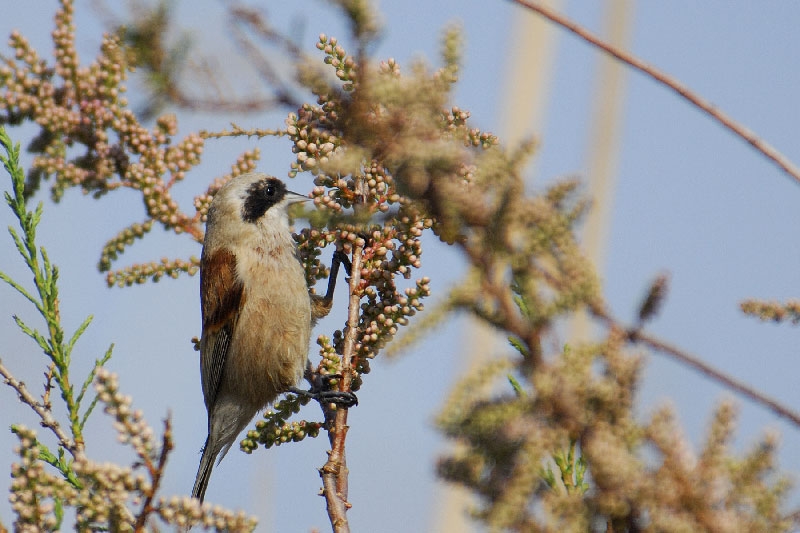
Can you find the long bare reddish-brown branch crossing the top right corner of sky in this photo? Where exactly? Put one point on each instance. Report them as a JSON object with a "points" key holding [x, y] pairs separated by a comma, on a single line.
{"points": [[737, 129]]}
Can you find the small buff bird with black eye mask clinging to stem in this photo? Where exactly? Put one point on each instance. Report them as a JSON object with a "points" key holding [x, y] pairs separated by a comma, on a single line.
{"points": [[256, 309]]}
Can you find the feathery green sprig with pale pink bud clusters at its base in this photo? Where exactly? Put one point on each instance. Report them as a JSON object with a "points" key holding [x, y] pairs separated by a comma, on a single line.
{"points": [[102, 495]]}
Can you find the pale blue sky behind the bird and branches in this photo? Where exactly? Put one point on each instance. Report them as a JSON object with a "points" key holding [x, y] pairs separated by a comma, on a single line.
{"points": [[691, 200]]}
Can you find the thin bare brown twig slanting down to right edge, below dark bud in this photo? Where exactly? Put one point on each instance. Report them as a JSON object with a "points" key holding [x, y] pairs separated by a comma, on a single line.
{"points": [[635, 335]]}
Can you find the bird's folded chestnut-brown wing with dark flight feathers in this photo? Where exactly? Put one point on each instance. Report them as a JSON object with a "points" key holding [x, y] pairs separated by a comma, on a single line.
{"points": [[222, 296]]}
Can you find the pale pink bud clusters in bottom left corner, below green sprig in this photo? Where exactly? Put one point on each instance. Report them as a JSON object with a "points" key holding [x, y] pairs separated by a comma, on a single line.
{"points": [[106, 496]]}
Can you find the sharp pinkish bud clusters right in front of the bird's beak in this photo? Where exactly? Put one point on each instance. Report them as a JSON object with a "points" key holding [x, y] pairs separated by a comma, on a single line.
{"points": [[365, 209]]}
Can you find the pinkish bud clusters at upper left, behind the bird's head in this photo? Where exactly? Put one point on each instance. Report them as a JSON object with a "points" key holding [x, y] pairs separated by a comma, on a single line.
{"points": [[90, 138]]}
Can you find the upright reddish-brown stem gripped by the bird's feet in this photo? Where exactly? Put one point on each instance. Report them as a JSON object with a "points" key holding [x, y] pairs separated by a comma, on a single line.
{"points": [[334, 472]]}
